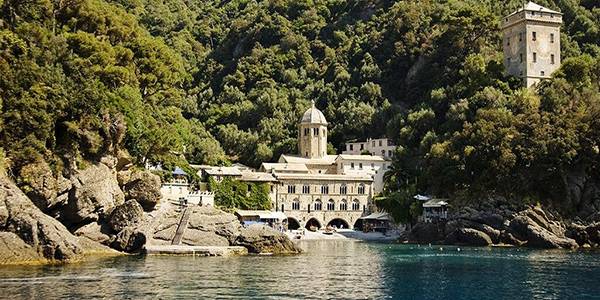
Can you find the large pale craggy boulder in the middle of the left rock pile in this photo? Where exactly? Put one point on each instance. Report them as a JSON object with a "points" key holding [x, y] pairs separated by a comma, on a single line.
{"points": [[95, 192]]}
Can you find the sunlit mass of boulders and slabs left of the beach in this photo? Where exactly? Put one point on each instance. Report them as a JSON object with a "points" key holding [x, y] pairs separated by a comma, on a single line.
{"points": [[107, 209]]}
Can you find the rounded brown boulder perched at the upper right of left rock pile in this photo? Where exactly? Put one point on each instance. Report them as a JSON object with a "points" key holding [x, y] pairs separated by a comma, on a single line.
{"points": [[142, 186]]}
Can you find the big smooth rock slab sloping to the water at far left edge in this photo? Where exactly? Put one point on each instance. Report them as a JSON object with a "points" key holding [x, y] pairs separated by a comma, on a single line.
{"points": [[43, 233]]}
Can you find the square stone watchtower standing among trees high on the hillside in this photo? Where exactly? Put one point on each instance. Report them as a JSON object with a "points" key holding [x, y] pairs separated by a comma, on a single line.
{"points": [[531, 43]]}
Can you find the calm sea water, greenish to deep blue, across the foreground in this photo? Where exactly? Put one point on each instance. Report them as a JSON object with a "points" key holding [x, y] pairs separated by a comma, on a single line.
{"points": [[329, 270]]}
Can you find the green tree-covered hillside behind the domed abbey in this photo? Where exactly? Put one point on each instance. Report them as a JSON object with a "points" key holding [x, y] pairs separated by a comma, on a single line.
{"points": [[224, 81]]}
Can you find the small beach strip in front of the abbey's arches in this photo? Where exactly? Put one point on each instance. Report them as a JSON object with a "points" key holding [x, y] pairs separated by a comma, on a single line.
{"points": [[342, 234]]}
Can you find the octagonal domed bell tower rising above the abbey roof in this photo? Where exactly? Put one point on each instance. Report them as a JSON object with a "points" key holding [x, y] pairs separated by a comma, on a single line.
{"points": [[312, 133]]}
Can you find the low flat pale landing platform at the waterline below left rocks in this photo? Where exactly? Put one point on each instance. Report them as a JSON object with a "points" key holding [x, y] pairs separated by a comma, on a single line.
{"points": [[184, 250]]}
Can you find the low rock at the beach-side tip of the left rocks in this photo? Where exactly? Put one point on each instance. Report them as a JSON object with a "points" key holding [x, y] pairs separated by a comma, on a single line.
{"points": [[263, 239]]}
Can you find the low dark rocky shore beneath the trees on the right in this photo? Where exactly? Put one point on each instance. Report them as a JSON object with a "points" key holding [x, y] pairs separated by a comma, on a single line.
{"points": [[497, 221]]}
